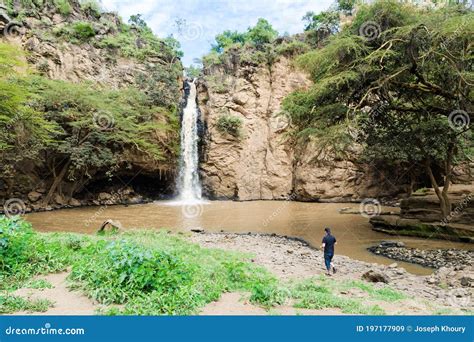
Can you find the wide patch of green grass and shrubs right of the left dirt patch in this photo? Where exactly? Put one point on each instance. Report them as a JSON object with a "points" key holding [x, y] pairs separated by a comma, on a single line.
{"points": [[157, 273]]}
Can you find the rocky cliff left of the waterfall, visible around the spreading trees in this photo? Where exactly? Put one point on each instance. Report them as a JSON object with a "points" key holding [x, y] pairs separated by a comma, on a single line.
{"points": [[86, 45]]}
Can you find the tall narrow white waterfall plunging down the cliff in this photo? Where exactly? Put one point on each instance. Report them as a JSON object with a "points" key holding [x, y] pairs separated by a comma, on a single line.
{"points": [[188, 185]]}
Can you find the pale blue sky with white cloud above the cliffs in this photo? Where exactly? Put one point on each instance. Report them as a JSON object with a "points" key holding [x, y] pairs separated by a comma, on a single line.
{"points": [[204, 19]]}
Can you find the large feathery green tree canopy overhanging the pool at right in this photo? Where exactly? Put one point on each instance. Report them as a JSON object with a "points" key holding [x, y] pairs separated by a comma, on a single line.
{"points": [[395, 90]]}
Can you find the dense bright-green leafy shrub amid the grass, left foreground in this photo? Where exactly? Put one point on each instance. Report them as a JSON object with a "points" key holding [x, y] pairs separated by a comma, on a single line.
{"points": [[120, 271]]}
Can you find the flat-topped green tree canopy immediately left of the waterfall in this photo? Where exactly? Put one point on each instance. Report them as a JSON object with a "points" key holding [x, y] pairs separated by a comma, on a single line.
{"points": [[98, 125]]}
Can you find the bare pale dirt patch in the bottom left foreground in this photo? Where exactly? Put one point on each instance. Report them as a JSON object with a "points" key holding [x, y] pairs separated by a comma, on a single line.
{"points": [[66, 302]]}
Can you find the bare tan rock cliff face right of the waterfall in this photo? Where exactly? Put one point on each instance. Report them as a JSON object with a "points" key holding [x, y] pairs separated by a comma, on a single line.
{"points": [[262, 163]]}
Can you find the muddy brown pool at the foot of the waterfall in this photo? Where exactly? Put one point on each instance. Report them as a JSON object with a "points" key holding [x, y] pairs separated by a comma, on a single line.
{"points": [[296, 219]]}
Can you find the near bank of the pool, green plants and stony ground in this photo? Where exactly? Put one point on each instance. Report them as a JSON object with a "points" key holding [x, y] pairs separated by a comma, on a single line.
{"points": [[156, 273]]}
